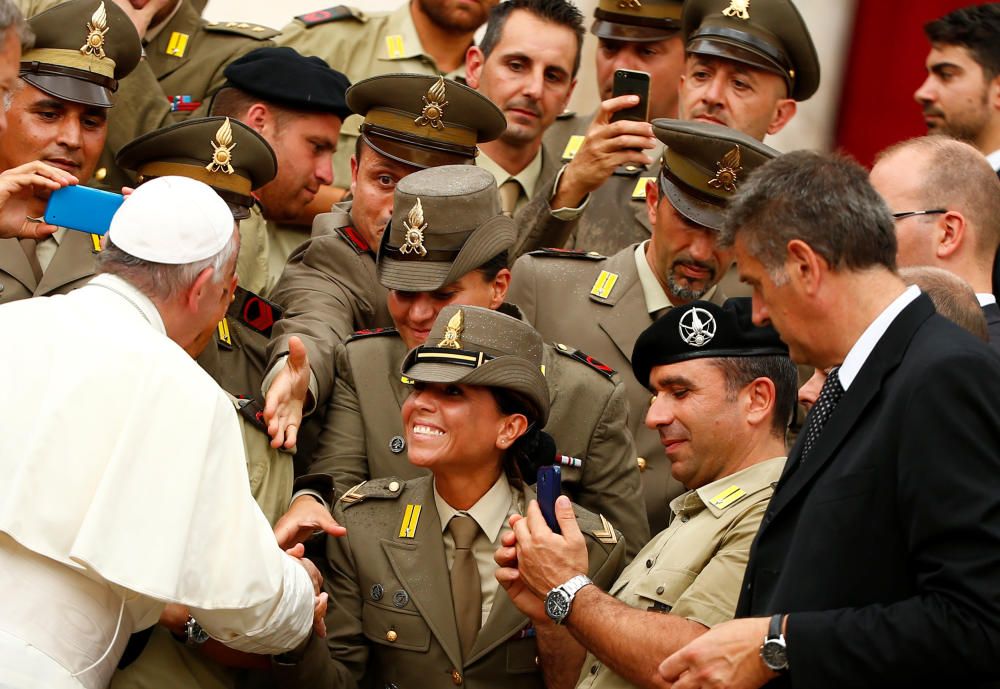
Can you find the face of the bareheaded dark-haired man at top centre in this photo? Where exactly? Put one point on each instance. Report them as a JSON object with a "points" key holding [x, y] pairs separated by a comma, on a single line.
{"points": [[528, 74]]}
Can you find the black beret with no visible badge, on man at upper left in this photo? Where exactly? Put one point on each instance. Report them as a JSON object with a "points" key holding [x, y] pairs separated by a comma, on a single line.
{"points": [[285, 77]]}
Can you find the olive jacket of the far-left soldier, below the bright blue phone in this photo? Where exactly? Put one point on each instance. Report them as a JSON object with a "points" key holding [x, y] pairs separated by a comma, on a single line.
{"points": [[72, 266]]}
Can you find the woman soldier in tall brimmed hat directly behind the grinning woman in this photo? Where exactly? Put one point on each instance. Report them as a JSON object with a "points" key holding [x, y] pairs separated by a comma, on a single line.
{"points": [[460, 257]]}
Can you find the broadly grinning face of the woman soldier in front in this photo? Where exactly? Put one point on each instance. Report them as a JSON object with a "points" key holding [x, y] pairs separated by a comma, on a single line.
{"points": [[454, 428]]}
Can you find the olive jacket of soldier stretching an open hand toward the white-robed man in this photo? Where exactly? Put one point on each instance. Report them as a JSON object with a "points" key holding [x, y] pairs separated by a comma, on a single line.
{"points": [[329, 290]]}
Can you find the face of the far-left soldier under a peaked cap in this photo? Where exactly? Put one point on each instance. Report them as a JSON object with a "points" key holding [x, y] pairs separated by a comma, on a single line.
{"points": [[67, 135]]}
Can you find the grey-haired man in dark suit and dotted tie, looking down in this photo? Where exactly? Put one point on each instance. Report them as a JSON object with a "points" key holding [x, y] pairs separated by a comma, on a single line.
{"points": [[876, 562]]}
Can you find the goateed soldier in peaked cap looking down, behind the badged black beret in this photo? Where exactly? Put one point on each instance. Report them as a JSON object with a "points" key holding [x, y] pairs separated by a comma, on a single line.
{"points": [[602, 304]]}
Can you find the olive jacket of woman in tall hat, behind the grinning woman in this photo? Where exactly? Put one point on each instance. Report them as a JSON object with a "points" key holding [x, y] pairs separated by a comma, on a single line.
{"points": [[362, 434]]}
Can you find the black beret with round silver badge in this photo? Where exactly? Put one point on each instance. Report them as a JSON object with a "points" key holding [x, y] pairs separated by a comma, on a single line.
{"points": [[701, 330]]}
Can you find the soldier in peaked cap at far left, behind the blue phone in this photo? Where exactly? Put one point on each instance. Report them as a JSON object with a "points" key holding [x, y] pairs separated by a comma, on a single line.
{"points": [[82, 48]]}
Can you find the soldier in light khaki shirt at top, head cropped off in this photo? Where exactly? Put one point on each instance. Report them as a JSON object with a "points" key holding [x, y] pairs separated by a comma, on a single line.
{"points": [[366, 44]]}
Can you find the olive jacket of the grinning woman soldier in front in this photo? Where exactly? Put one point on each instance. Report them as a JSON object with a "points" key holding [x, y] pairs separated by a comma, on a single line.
{"points": [[425, 651]]}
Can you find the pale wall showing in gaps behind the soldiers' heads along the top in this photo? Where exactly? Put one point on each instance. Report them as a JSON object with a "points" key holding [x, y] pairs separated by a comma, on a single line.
{"points": [[829, 23]]}
